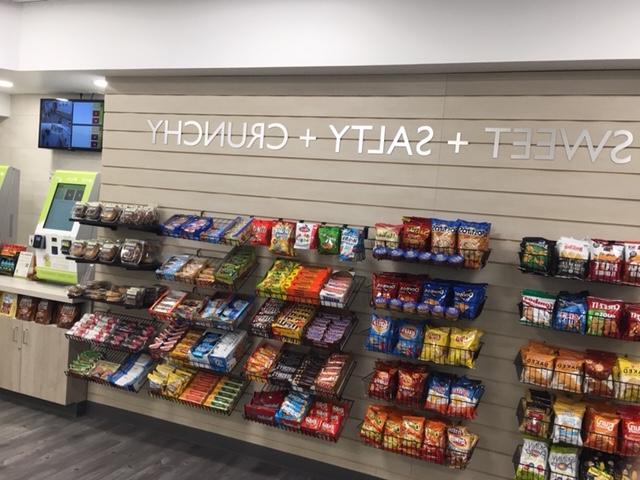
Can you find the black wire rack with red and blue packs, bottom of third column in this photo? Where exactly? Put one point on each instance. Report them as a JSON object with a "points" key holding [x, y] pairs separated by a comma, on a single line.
{"points": [[267, 417]]}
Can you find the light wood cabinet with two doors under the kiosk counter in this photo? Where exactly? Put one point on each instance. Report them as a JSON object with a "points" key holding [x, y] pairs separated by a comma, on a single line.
{"points": [[33, 359]]}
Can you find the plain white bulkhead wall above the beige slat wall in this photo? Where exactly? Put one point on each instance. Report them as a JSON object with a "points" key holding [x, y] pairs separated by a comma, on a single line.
{"points": [[152, 34]]}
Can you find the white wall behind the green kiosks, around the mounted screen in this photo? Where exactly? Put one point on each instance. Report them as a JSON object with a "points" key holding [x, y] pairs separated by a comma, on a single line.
{"points": [[19, 148]]}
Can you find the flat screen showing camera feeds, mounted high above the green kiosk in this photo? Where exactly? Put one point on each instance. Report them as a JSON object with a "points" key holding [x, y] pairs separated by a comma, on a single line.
{"points": [[71, 124]]}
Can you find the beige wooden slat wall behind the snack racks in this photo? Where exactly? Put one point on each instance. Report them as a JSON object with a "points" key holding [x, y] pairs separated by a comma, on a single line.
{"points": [[580, 198]]}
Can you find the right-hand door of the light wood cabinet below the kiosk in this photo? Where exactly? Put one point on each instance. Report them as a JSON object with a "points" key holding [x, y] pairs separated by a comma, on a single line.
{"points": [[45, 357]]}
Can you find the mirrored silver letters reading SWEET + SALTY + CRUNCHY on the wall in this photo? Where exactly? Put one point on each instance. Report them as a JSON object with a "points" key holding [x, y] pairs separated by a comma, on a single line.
{"points": [[521, 143]]}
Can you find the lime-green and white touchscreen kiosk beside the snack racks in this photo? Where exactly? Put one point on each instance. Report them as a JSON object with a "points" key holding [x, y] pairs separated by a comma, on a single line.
{"points": [[56, 231]]}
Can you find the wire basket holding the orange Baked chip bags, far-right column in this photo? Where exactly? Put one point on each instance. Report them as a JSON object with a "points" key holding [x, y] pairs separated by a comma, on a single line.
{"points": [[552, 379]]}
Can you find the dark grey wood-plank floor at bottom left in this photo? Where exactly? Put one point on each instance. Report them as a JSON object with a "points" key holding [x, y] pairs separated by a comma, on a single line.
{"points": [[37, 445]]}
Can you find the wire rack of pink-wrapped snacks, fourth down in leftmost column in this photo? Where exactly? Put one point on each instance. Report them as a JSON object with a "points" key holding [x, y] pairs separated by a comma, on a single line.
{"points": [[118, 338]]}
